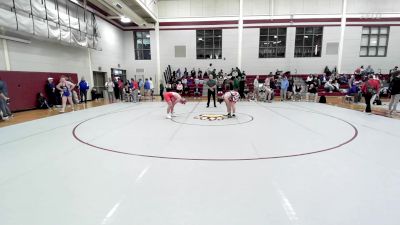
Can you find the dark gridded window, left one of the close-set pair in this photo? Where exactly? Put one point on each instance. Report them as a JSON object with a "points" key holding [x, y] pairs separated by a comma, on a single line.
{"points": [[272, 43]]}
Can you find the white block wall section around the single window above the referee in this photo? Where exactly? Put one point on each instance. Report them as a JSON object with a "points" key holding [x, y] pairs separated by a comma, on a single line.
{"points": [[169, 39]]}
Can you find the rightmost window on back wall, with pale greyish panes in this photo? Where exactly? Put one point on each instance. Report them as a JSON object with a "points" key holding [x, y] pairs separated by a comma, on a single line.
{"points": [[374, 41]]}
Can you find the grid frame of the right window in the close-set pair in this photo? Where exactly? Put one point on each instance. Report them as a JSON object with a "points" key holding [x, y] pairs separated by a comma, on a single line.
{"points": [[312, 46]]}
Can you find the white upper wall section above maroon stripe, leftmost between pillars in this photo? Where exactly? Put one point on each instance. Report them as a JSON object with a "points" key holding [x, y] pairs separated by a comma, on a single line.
{"points": [[197, 8]]}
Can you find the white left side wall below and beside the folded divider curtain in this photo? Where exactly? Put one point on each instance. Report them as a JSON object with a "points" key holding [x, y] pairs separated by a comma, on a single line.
{"points": [[50, 56]]}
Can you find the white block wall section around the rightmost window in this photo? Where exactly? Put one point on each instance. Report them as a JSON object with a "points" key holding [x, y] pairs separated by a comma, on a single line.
{"points": [[351, 51]]}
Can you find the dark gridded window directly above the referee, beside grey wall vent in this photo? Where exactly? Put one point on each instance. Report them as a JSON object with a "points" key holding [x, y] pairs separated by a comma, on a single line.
{"points": [[209, 44]]}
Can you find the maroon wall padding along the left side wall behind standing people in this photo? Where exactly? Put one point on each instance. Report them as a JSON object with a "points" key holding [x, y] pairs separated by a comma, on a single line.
{"points": [[24, 86]]}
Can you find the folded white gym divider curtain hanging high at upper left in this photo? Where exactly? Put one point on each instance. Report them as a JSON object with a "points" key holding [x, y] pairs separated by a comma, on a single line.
{"points": [[54, 19]]}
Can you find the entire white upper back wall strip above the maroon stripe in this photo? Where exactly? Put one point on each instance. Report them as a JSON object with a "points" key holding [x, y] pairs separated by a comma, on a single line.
{"points": [[219, 8]]}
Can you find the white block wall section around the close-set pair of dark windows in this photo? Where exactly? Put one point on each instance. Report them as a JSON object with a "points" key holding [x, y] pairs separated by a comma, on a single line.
{"points": [[254, 65]]}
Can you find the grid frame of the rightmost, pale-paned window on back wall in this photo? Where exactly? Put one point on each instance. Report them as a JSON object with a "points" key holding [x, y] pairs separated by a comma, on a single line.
{"points": [[379, 35]]}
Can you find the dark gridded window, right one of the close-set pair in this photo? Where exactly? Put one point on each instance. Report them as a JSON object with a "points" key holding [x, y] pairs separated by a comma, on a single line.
{"points": [[308, 42]]}
